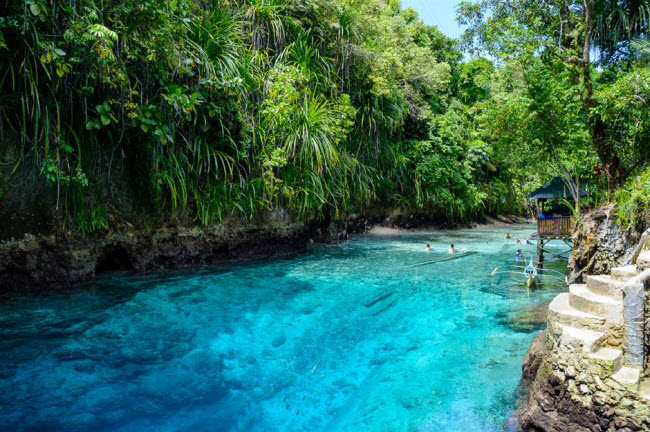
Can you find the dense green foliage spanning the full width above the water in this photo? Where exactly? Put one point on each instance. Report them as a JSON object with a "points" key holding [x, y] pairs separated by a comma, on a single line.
{"points": [[199, 110]]}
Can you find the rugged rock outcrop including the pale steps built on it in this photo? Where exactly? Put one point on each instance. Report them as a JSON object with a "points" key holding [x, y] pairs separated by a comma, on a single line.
{"points": [[588, 368]]}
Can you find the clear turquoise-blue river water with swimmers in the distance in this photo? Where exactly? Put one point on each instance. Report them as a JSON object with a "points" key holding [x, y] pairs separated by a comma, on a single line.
{"points": [[290, 344]]}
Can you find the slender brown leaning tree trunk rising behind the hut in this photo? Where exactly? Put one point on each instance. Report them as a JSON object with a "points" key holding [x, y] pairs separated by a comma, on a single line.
{"points": [[597, 128]]}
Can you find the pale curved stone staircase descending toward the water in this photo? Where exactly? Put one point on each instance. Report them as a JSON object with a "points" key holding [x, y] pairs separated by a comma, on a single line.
{"points": [[591, 321]]}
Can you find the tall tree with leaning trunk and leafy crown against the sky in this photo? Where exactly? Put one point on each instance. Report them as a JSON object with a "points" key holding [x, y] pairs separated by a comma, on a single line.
{"points": [[573, 30]]}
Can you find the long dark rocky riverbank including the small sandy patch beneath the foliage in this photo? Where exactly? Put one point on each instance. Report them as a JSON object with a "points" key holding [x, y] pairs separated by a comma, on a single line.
{"points": [[66, 259]]}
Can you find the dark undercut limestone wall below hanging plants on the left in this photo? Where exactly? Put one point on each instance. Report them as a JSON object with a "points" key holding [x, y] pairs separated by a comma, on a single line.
{"points": [[59, 261]]}
